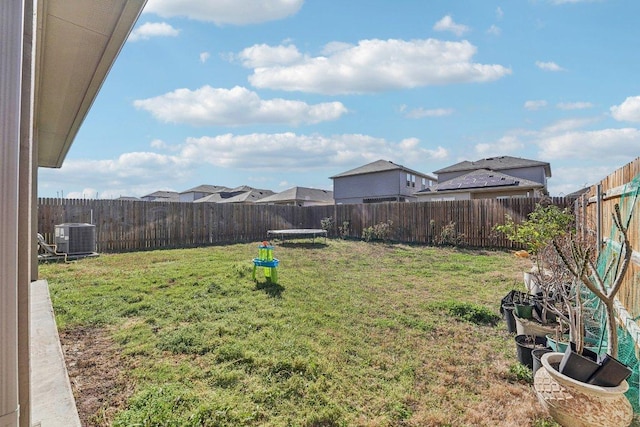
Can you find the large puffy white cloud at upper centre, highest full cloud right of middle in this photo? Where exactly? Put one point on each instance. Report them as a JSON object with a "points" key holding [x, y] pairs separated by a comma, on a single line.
{"points": [[372, 66]]}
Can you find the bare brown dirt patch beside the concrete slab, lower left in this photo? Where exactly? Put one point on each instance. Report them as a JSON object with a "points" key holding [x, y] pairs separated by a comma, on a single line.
{"points": [[96, 373]]}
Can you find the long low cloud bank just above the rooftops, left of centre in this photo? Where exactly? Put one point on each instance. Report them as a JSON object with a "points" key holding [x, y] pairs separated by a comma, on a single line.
{"points": [[141, 173]]}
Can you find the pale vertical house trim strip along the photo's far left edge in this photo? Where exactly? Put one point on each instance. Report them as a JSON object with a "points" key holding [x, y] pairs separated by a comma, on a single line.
{"points": [[11, 50]]}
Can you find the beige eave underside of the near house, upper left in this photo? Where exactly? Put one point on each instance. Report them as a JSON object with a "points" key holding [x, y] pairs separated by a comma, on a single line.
{"points": [[77, 43]]}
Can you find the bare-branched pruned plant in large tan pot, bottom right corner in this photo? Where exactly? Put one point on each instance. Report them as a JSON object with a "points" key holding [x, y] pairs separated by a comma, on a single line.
{"points": [[568, 397]]}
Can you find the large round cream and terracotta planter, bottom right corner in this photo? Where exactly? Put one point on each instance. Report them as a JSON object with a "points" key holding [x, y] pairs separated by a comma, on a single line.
{"points": [[574, 403]]}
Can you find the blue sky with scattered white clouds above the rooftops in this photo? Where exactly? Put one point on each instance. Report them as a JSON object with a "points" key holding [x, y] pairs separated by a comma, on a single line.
{"points": [[281, 93]]}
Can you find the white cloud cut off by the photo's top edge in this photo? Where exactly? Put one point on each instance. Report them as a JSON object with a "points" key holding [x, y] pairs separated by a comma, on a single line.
{"points": [[236, 12]]}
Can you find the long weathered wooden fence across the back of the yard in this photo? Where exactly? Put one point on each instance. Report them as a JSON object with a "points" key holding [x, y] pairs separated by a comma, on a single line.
{"points": [[124, 225]]}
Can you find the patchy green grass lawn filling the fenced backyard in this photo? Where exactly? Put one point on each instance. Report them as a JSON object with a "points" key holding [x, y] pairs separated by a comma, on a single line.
{"points": [[354, 334]]}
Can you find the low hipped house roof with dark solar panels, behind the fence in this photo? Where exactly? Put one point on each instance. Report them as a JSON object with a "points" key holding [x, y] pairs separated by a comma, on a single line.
{"points": [[479, 180]]}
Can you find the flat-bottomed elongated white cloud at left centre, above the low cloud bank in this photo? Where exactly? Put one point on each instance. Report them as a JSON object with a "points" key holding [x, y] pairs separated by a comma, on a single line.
{"points": [[209, 106]]}
